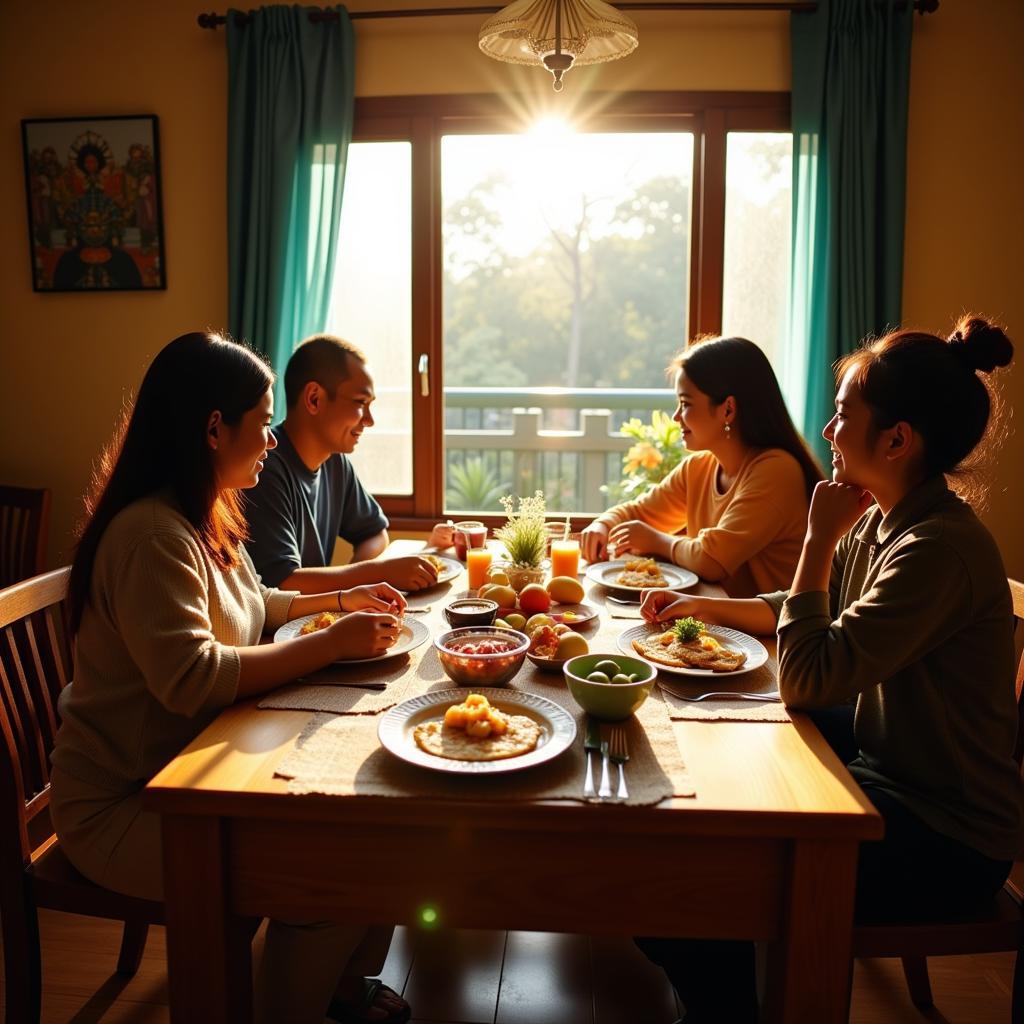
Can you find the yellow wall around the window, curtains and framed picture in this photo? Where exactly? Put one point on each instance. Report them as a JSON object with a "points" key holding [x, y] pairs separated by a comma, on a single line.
{"points": [[67, 362]]}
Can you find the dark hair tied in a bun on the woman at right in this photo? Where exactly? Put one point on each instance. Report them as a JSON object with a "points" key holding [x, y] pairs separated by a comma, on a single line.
{"points": [[933, 385]]}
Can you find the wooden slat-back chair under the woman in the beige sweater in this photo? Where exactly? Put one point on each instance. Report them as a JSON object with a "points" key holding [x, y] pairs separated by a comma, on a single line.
{"points": [[35, 662]]}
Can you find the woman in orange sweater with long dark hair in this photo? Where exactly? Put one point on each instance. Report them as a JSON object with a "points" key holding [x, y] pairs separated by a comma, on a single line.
{"points": [[735, 510]]}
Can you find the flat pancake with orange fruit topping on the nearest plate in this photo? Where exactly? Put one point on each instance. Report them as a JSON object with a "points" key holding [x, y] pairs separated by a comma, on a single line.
{"points": [[476, 731]]}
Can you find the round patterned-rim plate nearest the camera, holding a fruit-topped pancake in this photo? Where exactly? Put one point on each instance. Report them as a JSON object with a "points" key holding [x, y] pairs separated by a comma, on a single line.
{"points": [[558, 730]]}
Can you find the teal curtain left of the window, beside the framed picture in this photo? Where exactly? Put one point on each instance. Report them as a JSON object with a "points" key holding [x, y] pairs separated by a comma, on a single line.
{"points": [[290, 112]]}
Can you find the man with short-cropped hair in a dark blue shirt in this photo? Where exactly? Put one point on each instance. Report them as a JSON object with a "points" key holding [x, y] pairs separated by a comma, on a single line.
{"points": [[309, 494]]}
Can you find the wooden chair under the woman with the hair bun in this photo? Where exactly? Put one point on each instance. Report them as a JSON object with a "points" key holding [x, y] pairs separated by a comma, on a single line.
{"points": [[997, 928]]}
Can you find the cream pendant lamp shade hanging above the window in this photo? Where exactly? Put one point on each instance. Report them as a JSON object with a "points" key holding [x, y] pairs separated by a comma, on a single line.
{"points": [[559, 34]]}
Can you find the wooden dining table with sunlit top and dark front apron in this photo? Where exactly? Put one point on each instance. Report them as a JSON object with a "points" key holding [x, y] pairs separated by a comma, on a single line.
{"points": [[766, 850]]}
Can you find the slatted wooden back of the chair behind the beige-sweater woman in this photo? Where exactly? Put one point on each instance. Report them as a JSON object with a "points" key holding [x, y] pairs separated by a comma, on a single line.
{"points": [[35, 667]]}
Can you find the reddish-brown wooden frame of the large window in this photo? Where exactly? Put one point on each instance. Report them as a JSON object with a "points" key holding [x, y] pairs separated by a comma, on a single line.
{"points": [[423, 120]]}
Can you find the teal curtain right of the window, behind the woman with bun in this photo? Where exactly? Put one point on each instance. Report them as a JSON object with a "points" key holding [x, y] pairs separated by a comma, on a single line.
{"points": [[851, 70]]}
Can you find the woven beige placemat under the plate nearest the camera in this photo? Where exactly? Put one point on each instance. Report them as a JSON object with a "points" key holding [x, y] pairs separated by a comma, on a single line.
{"points": [[342, 755]]}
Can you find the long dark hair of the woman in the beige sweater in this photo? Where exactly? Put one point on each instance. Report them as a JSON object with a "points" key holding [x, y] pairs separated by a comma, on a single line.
{"points": [[161, 444]]}
